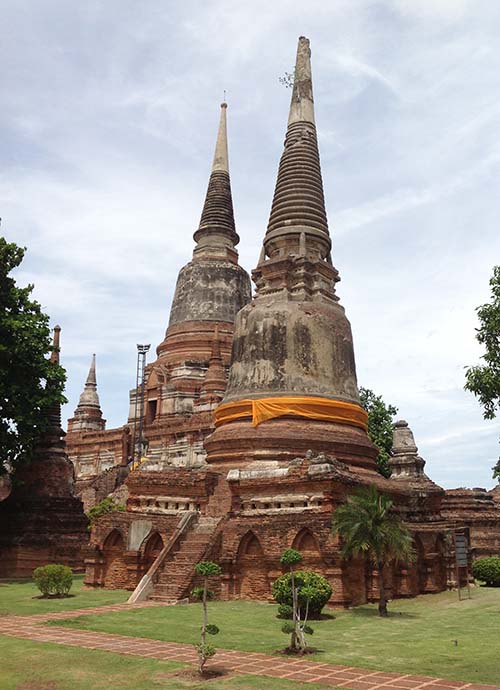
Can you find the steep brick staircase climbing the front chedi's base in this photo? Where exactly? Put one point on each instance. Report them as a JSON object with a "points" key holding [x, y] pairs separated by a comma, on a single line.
{"points": [[174, 578]]}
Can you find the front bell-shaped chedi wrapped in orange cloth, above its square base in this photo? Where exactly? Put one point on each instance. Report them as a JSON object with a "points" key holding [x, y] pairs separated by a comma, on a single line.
{"points": [[292, 347]]}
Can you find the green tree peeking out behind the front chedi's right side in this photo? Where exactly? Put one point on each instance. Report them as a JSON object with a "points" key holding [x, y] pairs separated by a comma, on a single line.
{"points": [[380, 426]]}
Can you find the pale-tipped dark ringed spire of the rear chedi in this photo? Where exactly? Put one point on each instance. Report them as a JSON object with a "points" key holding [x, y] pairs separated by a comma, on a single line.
{"points": [[217, 230]]}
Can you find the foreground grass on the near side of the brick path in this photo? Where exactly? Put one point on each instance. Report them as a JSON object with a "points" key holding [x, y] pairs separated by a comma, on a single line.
{"points": [[44, 666]]}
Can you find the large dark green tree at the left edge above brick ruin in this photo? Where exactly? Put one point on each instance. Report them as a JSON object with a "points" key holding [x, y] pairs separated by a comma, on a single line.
{"points": [[29, 382]]}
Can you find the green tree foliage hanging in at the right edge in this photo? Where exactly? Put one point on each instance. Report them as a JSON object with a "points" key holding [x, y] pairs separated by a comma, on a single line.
{"points": [[484, 379]]}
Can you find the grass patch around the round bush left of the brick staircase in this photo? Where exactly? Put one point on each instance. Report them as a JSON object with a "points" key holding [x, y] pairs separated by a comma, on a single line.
{"points": [[21, 598]]}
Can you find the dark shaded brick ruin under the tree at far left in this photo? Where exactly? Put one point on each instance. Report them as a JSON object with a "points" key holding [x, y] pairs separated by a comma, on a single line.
{"points": [[41, 520]]}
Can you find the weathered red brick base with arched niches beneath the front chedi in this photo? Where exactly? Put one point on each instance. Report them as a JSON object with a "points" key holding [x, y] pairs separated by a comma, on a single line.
{"points": [[251, 535]]}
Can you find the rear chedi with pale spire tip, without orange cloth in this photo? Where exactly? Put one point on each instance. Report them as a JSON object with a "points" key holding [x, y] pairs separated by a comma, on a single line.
{"points": [[187, 380]]}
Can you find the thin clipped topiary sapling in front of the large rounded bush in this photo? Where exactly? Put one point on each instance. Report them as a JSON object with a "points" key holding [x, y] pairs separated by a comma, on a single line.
{"points": [[297, 628]]}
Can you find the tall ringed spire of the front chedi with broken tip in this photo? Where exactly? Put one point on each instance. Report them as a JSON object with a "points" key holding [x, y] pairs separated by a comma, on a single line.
{"points": [[298, 204]]}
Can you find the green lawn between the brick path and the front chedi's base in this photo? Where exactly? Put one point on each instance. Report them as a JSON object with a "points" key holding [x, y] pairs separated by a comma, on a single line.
{"points": [[418, 637]]}
